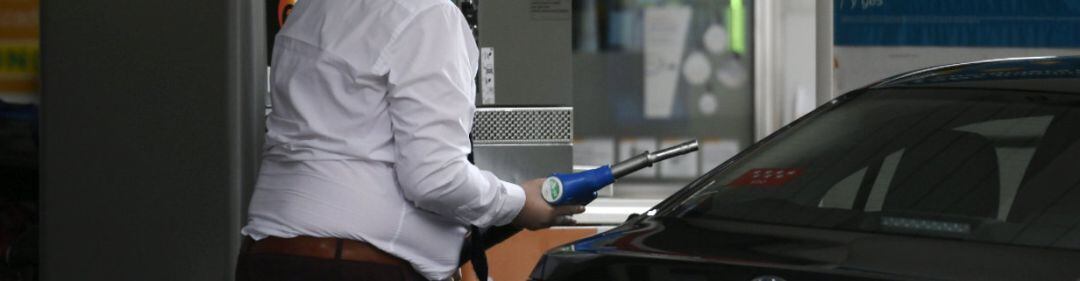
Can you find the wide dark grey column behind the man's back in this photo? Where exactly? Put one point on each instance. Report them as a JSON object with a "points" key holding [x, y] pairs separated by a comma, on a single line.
{"points": [[152, 116]]}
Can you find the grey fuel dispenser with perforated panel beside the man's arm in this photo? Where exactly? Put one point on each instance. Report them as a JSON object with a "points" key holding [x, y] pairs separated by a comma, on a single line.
{"points": [[524, 123]]}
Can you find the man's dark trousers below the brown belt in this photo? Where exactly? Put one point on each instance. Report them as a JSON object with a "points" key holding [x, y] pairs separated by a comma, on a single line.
{"points": [[277, 267]]}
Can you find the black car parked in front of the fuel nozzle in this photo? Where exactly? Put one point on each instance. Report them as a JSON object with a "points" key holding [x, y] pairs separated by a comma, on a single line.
{"points": [[962, 172]]}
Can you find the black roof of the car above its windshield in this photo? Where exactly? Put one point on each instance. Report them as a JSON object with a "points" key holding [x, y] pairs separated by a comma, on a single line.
{"points": [[1045, 74]]}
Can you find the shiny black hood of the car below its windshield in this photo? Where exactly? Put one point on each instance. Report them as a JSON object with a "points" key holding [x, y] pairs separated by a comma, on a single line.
{"points": [[673, 249]]}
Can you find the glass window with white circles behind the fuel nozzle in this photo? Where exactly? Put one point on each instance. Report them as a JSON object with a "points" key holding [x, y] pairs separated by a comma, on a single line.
{"points": [[652, 74]]}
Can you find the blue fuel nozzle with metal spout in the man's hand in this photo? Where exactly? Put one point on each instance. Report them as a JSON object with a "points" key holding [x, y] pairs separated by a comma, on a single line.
{"points": [[582, 188]]}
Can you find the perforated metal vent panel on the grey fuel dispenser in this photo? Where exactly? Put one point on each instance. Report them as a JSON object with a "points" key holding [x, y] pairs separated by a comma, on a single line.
{"points": [[523, 126]]}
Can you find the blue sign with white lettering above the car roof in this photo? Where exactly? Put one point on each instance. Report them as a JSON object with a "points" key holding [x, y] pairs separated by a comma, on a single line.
{"points": [[958, 23]]}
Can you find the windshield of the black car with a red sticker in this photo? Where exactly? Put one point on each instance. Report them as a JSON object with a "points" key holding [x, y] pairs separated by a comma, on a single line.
{"points": [[964, 164]]}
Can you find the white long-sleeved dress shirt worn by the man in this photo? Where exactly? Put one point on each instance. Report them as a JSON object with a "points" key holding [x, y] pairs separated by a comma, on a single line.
{"points": [[373, 103]]}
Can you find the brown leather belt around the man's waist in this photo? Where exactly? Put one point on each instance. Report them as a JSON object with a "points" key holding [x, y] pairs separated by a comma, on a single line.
{"points": [[326, 248]]}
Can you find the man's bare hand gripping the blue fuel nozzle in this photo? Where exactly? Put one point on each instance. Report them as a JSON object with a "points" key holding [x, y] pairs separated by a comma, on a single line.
{"points": [[537, 215]]}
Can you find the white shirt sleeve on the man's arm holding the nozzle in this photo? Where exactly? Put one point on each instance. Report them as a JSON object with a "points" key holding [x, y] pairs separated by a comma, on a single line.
{"points": [[431, 106]]}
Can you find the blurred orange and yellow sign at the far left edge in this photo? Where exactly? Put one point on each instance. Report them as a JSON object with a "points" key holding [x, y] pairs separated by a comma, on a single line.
{"points": [[20, 55]]}
